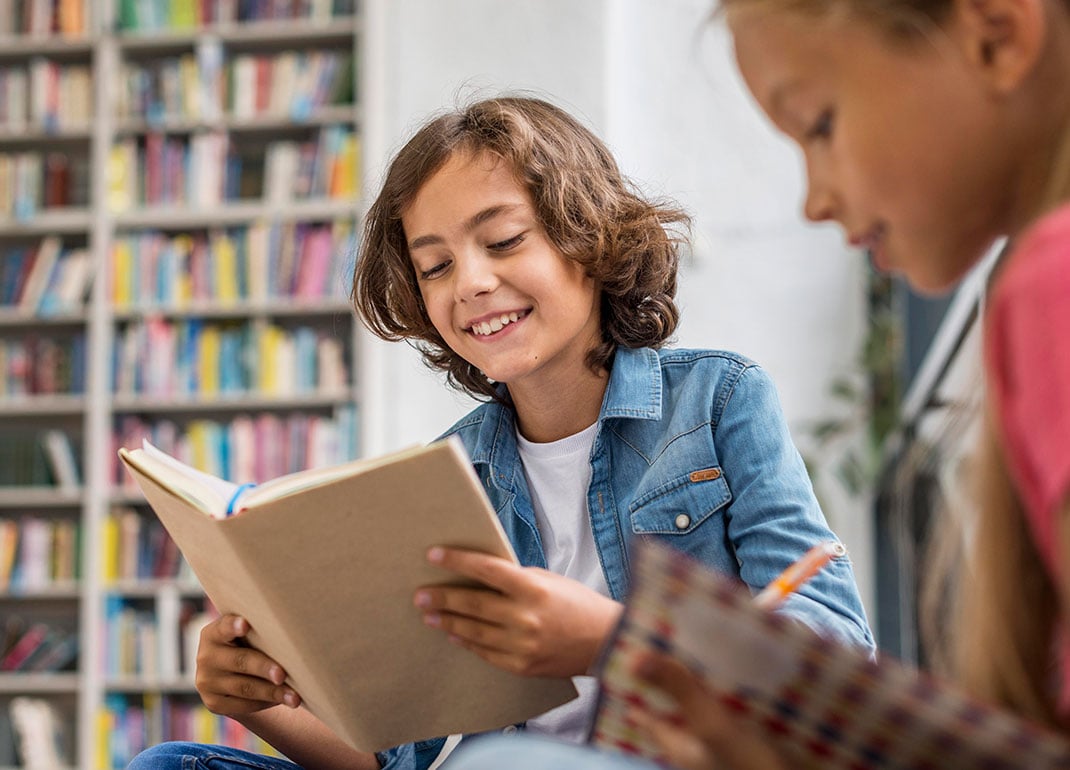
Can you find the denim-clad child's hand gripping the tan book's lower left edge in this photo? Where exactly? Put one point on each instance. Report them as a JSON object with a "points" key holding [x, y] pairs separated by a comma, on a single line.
{"points": [[235, 680]]}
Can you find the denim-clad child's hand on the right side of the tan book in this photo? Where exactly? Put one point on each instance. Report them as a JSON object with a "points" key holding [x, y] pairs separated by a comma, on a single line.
{"points": [[529, 622]]}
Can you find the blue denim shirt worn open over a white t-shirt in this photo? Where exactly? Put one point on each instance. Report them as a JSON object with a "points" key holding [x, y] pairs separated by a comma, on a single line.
{"points": [[692, 450]]}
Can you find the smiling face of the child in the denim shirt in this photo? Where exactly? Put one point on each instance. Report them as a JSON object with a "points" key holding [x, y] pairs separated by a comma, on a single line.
{"points": [[496, 288]]}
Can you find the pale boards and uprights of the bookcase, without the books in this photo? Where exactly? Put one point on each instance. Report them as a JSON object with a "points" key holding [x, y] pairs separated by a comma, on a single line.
{"points": [[81, 697]]}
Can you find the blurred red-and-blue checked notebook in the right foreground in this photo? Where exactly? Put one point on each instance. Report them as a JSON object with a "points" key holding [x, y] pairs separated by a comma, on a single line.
{"points": [[826, 705]]}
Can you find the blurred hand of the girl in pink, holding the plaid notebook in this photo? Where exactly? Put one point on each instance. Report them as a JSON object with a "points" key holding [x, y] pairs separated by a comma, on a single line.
{"points": [[704, 735]]}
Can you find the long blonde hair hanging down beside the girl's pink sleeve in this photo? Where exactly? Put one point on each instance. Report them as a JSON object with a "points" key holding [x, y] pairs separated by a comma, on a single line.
{"points": [[988, 603]]}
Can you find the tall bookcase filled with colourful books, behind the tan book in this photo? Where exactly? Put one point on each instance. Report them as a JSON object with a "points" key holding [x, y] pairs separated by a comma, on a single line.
{"points": [[179, 207]]}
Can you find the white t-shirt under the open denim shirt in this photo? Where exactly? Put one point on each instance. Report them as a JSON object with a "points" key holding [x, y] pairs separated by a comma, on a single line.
{"points": [[559, 475]]}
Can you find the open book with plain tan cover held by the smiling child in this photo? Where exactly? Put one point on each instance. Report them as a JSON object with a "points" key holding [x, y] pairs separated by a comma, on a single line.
{"points": [[325, 564]]}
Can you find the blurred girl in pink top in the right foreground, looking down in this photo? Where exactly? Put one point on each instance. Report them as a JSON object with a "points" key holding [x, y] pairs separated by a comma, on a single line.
{"points": [[930, 129]]}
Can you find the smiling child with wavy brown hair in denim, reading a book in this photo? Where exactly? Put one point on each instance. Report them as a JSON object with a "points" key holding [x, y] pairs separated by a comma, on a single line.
{"points": [[507, 245]]}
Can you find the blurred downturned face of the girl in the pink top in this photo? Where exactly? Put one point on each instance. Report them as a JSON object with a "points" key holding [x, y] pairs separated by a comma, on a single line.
{"points": [[903, 143]]}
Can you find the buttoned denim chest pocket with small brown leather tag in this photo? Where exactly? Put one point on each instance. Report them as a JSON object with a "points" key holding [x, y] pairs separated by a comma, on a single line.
{"points": [[679, 506]]}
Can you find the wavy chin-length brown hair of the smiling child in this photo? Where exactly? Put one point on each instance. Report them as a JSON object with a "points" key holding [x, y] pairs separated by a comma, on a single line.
{"points": [[590, 212]]}
